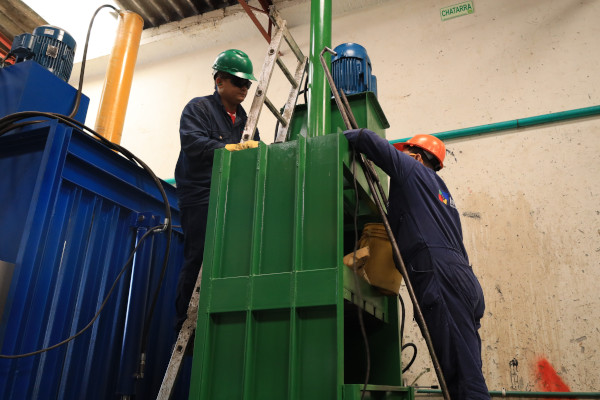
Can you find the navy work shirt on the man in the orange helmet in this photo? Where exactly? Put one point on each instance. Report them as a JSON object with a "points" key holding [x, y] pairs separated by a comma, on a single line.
{"points": [[422, 213]]}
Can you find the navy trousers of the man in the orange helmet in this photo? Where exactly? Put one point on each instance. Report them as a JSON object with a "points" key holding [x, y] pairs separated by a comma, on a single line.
{"points": [[452, 304]]}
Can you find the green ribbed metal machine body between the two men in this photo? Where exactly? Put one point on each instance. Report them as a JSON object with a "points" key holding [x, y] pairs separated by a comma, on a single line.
{"points": [[278, 312]]}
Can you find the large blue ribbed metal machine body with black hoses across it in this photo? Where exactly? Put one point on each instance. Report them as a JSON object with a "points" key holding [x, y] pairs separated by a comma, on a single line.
{"points": [[72, 212]]}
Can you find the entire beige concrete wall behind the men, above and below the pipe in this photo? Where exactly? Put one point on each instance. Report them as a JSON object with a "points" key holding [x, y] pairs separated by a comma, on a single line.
{"points": [[529, 197]]}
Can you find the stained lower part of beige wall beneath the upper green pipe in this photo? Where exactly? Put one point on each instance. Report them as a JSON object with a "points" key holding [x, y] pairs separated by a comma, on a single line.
{"points": [[528, 201]]}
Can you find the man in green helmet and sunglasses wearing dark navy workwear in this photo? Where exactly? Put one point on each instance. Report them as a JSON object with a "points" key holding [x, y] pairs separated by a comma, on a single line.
{"points": [[207, 123]]}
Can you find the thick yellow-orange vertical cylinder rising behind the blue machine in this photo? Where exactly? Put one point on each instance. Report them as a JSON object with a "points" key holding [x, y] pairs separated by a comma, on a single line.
{"points": [[117, 84]]}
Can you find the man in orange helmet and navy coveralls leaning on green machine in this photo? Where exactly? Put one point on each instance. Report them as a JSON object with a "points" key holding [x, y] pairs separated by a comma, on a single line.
{"points": [[427, 229]]}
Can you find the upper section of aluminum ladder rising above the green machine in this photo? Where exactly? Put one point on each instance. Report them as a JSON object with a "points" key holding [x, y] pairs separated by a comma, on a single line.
{"points": [[260, 97]]}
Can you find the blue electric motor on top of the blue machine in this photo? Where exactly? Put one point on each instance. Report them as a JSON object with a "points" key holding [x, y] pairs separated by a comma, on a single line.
{"points": [[49, 46]]}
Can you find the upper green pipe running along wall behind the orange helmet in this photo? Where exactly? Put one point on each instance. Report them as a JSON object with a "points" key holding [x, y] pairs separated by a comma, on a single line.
{"points": [[516, 123]]}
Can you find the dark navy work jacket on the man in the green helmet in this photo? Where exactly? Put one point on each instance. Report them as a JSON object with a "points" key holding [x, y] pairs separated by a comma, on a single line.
{"points": [[204, 127]]}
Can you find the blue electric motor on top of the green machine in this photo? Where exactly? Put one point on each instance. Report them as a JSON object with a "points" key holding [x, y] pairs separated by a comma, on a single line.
{"points": [[351, 69]]}
